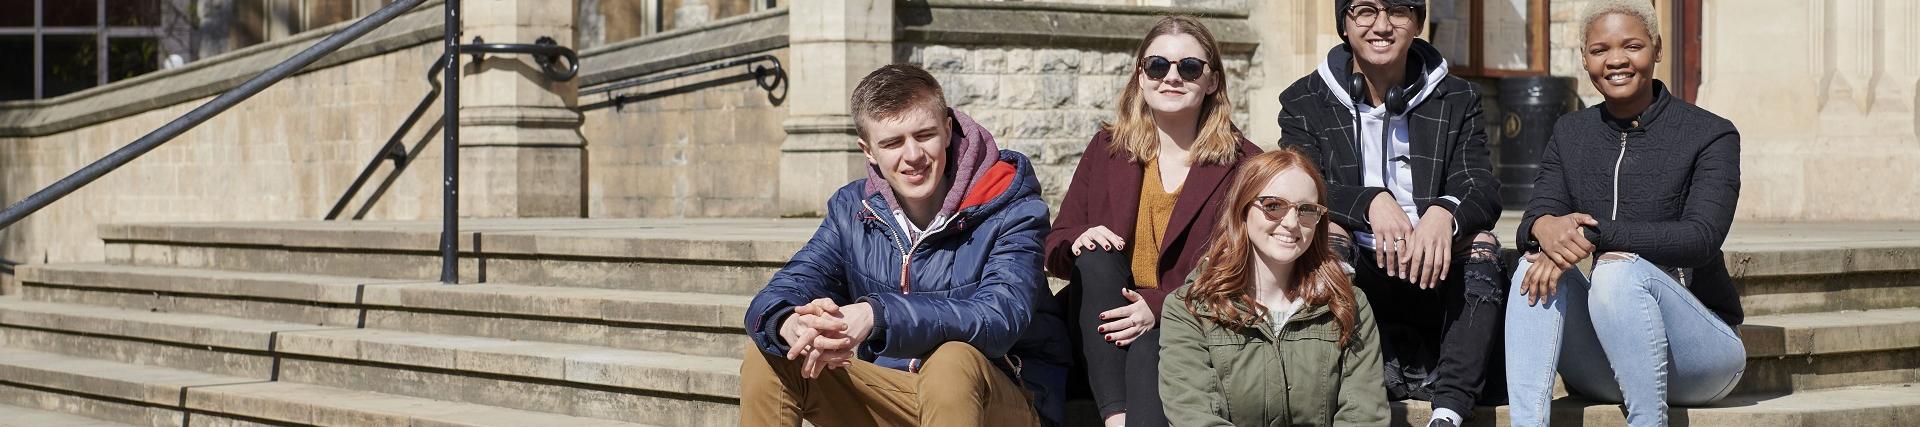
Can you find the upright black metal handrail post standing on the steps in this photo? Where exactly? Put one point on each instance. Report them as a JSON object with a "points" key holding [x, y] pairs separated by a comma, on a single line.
{"points": [[450, 205]]}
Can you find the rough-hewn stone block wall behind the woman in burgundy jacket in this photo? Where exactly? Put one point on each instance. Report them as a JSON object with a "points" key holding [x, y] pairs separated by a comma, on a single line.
{"points": [[1049, 103]]}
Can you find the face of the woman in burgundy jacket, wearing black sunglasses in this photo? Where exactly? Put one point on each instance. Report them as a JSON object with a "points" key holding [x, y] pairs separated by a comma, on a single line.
{"points": [[1174, 93]]}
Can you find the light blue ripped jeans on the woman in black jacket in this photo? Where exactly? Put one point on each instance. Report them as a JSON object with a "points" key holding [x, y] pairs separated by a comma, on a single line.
{"points": [[1610, 341]]}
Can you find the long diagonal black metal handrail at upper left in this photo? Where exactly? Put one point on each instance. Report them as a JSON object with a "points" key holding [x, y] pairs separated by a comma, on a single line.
{"points": [[60, 189]]}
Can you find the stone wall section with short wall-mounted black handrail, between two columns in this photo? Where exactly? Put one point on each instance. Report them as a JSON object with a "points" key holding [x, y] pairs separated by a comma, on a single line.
{"points": [[704, 145]]}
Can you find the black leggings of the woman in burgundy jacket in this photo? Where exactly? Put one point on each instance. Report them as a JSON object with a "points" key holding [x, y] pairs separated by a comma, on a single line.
{"points": [[1122, 380]]}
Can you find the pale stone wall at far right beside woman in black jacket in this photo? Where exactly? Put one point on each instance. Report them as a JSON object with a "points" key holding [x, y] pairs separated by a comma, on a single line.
{"points": [[1823, 95]]}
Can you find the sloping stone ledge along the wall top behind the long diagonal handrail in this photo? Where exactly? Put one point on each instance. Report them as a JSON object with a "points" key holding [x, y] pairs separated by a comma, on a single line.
{"points": [[208, 78]]}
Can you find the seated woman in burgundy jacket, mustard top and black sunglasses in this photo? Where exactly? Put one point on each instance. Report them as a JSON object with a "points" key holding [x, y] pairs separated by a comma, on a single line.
{"points": [[1140, 211]]}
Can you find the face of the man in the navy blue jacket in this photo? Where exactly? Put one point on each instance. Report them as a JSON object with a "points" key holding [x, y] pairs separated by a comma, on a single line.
{"points": [[911, 153]]}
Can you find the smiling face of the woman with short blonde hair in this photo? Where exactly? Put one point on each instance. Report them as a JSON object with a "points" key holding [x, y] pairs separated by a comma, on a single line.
{"points": [[1620, 57]]}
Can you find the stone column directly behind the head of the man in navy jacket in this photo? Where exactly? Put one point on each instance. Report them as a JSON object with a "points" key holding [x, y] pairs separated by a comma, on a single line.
{"points": [[834, 43]]}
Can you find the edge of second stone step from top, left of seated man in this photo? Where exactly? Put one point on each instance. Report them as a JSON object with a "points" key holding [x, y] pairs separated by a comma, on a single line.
{"points": [[636, 309]]}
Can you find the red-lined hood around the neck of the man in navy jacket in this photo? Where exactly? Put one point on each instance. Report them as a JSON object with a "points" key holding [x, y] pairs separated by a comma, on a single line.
{"points": [[971, 157]]}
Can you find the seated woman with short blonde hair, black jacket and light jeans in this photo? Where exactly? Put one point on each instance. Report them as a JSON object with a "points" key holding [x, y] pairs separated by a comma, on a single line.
{"points": [[1648, 186]]}
